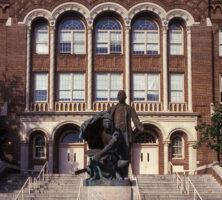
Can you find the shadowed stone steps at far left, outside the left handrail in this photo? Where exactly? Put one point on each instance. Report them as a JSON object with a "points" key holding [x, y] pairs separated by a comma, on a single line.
{"points": [[10, 185]]}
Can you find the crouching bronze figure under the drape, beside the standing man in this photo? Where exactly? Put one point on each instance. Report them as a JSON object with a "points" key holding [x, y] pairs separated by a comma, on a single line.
{"points": [[104, 147]]}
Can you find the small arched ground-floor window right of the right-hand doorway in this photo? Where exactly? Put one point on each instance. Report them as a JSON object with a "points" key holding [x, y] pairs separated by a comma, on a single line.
{"points": [[177, 147]]}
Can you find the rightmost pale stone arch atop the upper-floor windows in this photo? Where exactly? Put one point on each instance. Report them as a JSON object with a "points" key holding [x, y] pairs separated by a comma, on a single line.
{"points": [[179, 13]]}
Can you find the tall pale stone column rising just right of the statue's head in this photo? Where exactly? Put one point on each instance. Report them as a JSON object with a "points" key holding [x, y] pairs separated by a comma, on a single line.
{"points": [[127, 63]]}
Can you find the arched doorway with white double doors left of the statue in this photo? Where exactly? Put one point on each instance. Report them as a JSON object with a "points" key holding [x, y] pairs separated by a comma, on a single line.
{"points": [[71, 152]]}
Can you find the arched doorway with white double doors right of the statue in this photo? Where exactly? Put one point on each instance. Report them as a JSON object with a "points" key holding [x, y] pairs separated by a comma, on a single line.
{"points": [[145, 153]]}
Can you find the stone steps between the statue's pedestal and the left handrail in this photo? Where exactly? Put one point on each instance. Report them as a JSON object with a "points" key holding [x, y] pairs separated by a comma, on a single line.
{"points": [[56, 187]]}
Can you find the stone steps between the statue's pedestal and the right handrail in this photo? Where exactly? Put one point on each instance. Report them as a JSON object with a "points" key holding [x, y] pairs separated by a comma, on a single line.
{"points": [[158, 187]]}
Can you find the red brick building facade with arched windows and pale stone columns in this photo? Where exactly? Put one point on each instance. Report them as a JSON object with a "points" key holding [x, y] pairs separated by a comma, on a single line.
{"points": [[62, 62]]}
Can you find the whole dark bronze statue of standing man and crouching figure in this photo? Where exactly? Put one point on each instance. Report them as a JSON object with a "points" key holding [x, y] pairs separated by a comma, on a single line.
{"points": [[109, 137]]}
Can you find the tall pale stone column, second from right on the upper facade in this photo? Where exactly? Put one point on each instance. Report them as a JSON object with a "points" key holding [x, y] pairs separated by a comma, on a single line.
{"points": [[165, 70]]}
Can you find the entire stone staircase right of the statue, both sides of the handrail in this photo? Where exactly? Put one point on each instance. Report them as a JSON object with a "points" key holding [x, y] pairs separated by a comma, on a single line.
{"points": [[159, 187]]}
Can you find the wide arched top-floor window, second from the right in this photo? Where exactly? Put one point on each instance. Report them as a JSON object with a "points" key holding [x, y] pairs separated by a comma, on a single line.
{"points": [[145, 37]]}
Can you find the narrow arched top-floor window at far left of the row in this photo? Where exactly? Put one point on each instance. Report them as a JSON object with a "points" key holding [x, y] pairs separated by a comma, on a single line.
{"points": [[41, 39]]}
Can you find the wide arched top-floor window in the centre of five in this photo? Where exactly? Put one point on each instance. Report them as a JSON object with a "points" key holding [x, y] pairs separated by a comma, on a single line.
{"points": [[108, 36]]}
